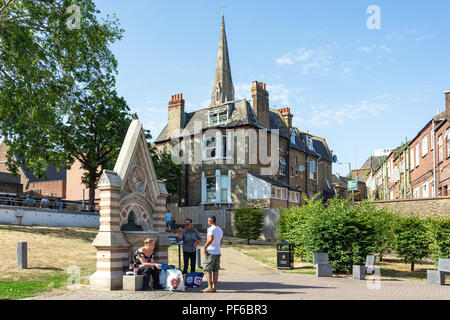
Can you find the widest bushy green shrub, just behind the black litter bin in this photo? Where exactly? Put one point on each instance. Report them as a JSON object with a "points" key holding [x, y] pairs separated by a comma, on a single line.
{"points": [[347, 232]]}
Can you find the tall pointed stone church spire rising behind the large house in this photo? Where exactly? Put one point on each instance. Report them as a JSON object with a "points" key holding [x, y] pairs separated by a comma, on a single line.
{"points": [[223, 89]]}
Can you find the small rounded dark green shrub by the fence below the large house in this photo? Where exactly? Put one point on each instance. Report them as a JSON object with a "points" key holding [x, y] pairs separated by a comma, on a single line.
{"points": [[248, 223]]}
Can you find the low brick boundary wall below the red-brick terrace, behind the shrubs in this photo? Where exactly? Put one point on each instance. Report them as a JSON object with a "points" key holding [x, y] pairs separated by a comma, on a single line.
{"points": [[423, 207]]}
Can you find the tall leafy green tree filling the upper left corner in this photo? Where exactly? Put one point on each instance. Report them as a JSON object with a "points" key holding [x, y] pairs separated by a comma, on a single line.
{"points": [[57, 97]]}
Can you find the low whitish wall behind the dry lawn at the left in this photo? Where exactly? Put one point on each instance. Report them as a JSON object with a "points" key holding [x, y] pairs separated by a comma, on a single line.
{"points": [[48, 218]]}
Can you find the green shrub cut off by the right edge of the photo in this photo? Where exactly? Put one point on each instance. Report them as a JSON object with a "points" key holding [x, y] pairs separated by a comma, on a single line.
{"points": [[440, 233]]}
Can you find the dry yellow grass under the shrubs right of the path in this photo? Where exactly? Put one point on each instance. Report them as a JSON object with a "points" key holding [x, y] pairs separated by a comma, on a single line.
{"points": [[391, 267]]}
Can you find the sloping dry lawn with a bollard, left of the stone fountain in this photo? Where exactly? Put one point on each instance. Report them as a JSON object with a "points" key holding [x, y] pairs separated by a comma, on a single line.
{"points": [[51, 251]]}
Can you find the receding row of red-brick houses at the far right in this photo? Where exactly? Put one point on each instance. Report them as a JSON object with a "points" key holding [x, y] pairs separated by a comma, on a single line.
{"points": [[420, 168]]}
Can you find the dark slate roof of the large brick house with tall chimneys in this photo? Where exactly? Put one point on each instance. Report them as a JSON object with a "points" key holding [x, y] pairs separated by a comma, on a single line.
{"points": [[240, 114]]}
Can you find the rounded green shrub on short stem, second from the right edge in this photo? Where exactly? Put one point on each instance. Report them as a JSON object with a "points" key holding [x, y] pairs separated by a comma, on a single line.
{"points": [[412, 239]]}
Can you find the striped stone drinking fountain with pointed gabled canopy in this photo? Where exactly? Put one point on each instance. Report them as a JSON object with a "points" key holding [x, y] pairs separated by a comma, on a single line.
{"points": [[130, 197]]}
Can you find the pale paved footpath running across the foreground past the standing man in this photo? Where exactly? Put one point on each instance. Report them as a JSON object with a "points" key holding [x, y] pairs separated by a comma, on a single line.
{"points": [[243, 278]]}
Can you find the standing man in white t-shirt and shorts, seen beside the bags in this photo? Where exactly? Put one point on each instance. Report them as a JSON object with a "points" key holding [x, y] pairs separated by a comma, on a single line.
{"points": [[212, 254]]}
